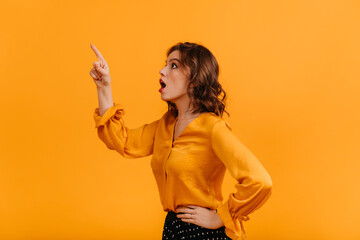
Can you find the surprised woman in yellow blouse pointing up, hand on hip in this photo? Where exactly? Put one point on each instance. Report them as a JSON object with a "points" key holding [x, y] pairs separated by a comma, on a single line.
{"points": [[192, 146]]}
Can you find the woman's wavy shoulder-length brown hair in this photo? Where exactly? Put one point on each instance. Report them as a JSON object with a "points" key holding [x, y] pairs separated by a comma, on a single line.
{"points": [[205, 92]]}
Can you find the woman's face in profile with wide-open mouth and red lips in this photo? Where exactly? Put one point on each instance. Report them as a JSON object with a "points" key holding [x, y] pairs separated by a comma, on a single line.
{"points": [[174, 79]]}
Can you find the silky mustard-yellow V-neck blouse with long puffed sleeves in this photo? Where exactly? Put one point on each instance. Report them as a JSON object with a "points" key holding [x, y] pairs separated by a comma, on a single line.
{"points": [[190, 170]]}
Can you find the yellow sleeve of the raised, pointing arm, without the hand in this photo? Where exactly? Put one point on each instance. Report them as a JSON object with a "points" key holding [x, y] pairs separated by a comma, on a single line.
{"points": [[130, 143]]}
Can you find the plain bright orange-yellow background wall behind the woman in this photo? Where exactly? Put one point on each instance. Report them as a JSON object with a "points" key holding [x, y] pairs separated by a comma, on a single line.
{"points": [[291, 71]]}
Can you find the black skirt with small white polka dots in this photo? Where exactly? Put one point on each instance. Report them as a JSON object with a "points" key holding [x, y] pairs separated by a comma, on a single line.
{"points": [[174, 228]]}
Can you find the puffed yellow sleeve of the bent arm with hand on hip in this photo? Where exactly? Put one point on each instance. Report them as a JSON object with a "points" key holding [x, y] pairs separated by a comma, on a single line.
{"points": [[253, 185]]}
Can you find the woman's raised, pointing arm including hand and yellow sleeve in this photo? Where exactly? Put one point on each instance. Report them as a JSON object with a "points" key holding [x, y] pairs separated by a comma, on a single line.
{"points": [[130, 143]]}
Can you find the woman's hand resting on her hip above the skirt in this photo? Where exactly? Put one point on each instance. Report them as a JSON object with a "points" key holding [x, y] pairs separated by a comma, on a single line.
{"points": [[200, 216]]}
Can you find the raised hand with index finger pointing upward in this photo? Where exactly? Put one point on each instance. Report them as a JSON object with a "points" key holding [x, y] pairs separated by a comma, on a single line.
{"points": [[100, 72]]}
